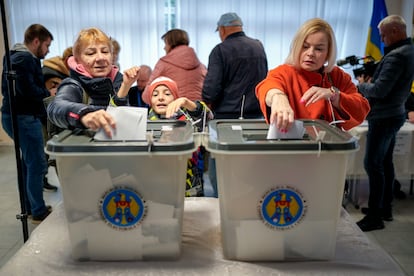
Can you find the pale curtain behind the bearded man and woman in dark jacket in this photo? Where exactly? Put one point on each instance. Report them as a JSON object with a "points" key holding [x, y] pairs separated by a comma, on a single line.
{"points": [[136, 25]]}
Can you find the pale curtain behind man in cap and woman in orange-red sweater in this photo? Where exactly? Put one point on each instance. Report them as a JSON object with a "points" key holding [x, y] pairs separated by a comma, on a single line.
{"points": [[274, 22]]}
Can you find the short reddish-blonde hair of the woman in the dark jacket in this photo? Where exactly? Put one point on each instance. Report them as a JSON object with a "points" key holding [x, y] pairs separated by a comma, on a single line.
{"points": [[86, 36]]}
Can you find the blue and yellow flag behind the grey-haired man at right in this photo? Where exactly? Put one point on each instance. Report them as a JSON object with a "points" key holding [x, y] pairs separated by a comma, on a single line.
{"points": [[375, 48]]}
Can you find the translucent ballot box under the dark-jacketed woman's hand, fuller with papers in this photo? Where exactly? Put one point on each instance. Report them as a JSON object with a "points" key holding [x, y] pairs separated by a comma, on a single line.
{"points": [[124, 200]]}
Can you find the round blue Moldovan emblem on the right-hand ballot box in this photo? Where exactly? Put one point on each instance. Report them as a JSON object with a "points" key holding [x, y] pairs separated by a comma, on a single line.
{"points": [[282, 208]]}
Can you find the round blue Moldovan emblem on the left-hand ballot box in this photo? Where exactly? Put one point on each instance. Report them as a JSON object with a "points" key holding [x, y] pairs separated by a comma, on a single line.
{"points": [[122, 208]]}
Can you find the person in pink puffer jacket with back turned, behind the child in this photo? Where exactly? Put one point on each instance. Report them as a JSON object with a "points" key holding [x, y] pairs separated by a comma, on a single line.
{"points": [[180, 64]]}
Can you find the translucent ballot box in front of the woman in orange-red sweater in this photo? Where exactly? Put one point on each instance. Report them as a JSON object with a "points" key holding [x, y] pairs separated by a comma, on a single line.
{"points": [[279, 199]]}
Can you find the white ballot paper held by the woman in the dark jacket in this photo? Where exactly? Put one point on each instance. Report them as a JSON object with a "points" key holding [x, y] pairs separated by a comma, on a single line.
{"points": [[131, 123]]}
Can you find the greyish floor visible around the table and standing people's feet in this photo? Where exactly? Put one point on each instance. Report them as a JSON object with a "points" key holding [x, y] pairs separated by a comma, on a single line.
{"points": [[397, 238]]}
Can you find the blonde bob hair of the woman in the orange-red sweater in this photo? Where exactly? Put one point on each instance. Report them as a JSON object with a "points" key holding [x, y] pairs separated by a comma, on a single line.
{"points": [[310, 27]]}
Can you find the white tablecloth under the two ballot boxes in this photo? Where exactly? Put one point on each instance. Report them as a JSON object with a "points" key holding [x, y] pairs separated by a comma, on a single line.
{"points": [[47, 252]]}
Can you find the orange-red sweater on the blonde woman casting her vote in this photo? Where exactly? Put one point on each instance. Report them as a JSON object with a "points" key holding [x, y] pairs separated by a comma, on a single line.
{"points": [[295, 82]]}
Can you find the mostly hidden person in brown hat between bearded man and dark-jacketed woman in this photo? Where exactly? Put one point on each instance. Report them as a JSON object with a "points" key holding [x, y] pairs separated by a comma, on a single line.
{"points": [[54, 71]]}
